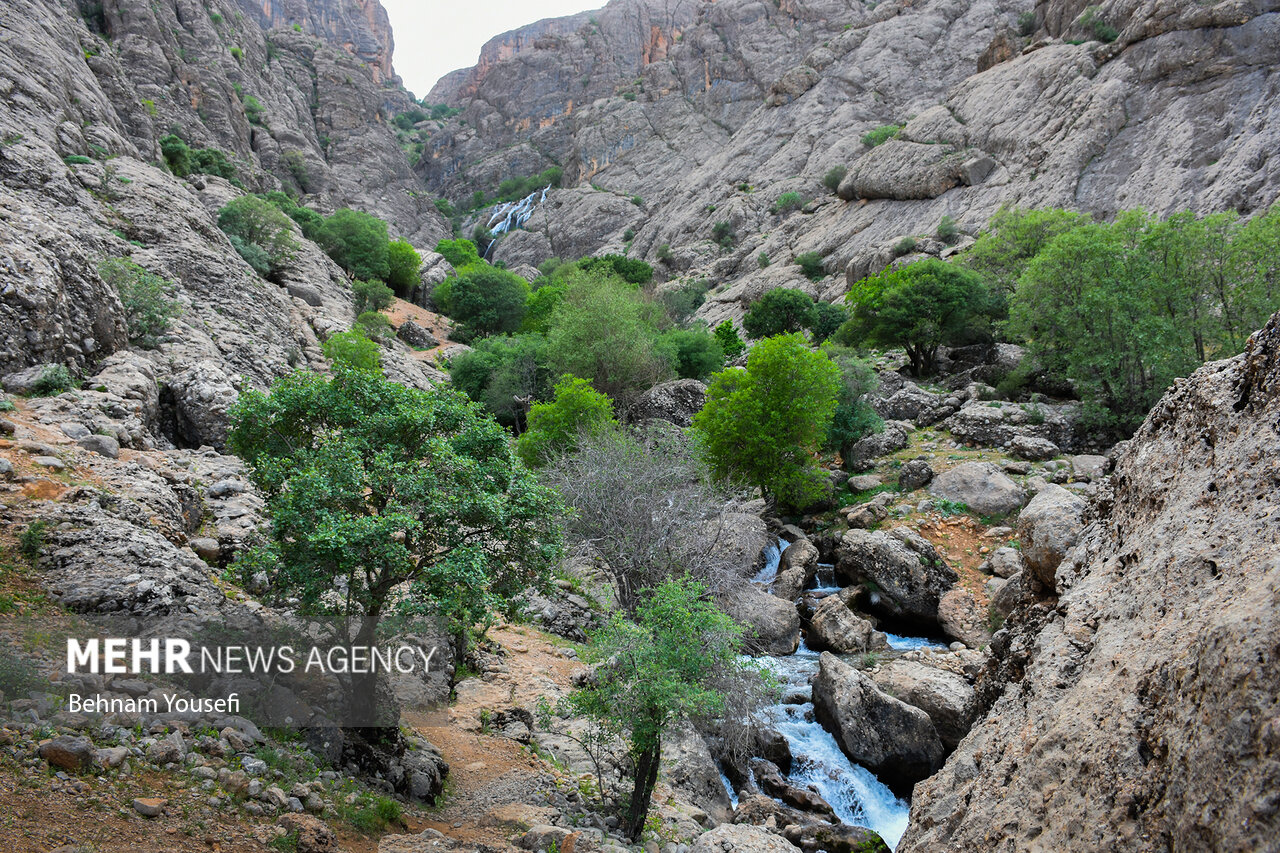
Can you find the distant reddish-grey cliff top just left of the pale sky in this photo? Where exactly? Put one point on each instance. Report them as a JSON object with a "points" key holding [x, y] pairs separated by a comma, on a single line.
{"points": [[359, 26]]}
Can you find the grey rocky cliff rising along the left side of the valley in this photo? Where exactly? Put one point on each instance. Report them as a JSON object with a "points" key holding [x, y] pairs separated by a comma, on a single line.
{"points": [[86, 99]]}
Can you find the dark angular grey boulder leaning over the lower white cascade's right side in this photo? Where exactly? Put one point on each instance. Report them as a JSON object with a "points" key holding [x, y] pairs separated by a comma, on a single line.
{"points": [[895, 741]]}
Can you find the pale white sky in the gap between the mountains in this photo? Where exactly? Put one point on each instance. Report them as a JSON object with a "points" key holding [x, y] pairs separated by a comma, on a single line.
{"points": [[435, 38]]}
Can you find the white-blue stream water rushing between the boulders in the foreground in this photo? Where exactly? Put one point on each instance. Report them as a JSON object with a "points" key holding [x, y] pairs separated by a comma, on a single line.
{"points": [[854, 793]]}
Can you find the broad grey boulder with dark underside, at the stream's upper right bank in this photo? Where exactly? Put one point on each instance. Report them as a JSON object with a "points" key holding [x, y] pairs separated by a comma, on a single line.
{"points": [[906, 574]]}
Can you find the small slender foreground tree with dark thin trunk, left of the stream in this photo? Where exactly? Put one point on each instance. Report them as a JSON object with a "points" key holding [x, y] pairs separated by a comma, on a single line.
{"points": [[676, 662]]}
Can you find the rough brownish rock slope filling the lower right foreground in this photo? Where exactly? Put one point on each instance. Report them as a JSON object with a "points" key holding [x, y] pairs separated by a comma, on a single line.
{"points": [[1137, 706]]}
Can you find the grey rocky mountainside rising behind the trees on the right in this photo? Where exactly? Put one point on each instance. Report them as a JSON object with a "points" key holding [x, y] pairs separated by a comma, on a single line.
{"points": [[711, 111]]}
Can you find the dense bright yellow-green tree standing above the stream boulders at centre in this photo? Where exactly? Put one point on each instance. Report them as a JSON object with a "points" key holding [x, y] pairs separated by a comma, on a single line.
{"points": [[767, 422]]}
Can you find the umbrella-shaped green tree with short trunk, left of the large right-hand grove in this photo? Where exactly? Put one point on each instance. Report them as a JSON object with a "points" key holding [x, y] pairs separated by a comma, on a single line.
{"points": [[920, 308]]}
